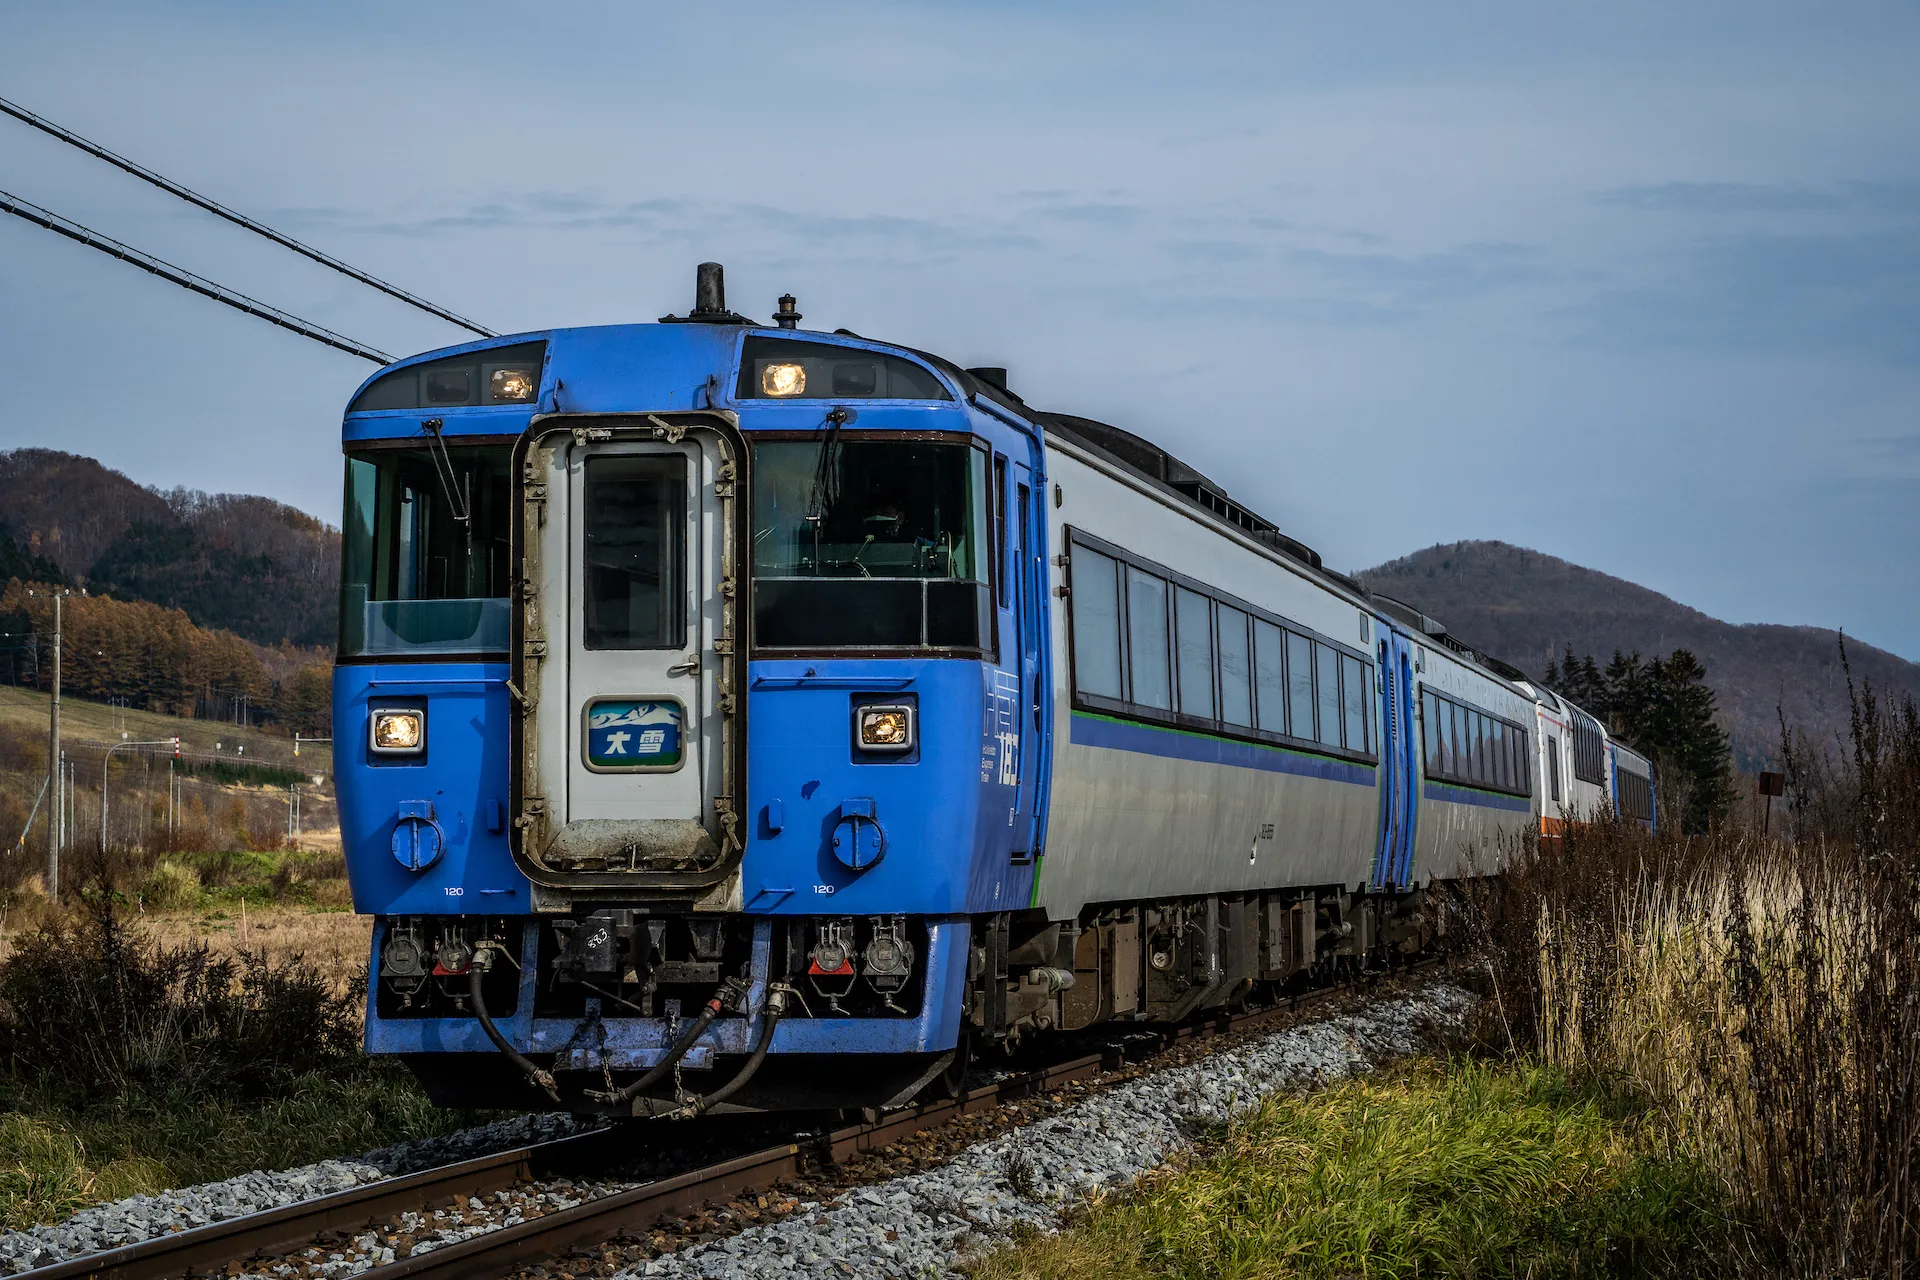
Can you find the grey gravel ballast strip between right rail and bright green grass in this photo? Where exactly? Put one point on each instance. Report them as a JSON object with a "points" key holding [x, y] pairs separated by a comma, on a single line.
{"points": [[923, 1223]]}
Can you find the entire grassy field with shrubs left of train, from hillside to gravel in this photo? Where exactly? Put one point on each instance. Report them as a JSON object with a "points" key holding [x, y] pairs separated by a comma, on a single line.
{"points": [[212, 1026]]}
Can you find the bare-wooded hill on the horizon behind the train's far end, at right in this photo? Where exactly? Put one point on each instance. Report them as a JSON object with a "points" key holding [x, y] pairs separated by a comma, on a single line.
{"points": [[1529, 609]]}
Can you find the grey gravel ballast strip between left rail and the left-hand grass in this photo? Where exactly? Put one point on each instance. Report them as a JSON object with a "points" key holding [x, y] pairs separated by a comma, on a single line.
{"points": [[143, 1218]]}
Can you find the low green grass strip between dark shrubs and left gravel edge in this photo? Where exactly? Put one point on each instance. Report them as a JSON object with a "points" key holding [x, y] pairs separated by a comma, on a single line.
{"points": [[59, 1156]]}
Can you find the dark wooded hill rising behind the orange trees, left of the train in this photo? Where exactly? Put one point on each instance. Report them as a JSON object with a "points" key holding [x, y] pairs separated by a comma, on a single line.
{"points": [[229, 561]]}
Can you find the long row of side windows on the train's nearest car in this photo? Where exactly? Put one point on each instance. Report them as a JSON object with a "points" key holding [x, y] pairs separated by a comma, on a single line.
{"points": [[1161, 650]]}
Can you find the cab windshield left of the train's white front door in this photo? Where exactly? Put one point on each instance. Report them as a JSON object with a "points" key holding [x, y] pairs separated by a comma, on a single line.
{"points": [[425, 569]]}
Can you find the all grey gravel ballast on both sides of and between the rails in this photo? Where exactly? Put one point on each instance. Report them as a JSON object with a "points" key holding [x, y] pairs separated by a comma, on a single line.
{"points": [[913, 1225]]}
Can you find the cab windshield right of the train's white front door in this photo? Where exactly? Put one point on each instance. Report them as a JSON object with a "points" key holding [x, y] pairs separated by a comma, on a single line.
{"points": [[871, 544]]}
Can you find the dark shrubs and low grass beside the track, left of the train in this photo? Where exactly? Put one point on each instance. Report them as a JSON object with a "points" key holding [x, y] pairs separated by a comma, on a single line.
{"points": [[133, 1064]]}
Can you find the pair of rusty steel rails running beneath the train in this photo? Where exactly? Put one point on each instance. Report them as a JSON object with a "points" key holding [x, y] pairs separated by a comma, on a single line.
{"points": [[256, 1239]]}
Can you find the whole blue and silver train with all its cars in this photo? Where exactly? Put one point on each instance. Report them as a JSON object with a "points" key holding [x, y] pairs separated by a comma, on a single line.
{"points": [[736, 717]]}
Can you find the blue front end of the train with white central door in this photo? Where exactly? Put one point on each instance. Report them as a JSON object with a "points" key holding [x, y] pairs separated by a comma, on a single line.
{"points": [[684, 715]]}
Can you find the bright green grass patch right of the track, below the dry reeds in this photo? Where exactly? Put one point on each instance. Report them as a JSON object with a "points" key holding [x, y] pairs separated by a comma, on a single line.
{"points": [[1439, 1170]]}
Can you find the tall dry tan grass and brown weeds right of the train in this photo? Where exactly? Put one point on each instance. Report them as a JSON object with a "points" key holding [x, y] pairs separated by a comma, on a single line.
{"points": [[1765, 993]]}
